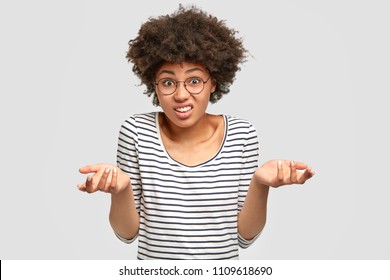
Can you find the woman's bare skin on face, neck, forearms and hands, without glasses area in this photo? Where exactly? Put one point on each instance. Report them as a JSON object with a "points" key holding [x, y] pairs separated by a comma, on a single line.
{"points": [[185, 127]]}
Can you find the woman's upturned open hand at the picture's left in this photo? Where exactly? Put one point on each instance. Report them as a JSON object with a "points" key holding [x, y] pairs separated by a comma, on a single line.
{"points": [[106, 178]]}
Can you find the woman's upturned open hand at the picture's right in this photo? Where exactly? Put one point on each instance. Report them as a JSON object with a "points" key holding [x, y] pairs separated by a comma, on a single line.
{"points": [[276, 173]]}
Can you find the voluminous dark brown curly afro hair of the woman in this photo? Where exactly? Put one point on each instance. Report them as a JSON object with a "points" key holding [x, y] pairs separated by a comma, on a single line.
{"points": [[190, 35]]}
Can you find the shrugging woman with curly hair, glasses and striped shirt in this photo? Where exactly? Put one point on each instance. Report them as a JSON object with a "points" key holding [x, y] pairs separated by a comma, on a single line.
{"points": [[187, 182]]}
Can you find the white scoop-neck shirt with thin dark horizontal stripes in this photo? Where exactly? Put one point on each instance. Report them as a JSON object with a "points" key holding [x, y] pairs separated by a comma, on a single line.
{"points": [[187, 212]]}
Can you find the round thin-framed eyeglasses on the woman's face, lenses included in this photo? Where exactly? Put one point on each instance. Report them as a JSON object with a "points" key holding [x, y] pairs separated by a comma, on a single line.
{"points": [[194, 85]]}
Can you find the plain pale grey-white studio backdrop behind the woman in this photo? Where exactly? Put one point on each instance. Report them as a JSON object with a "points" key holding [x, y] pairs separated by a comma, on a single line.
{"points": [[314, 88]]}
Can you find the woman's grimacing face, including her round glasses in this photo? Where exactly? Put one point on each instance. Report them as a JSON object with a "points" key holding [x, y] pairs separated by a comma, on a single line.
{"points": [[184, 109]]}
